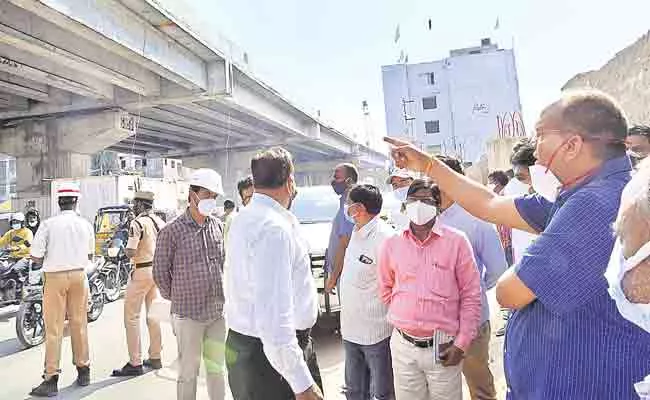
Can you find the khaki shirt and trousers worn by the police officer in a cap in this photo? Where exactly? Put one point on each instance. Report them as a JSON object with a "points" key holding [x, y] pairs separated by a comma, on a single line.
{"points": [[142, 288]]}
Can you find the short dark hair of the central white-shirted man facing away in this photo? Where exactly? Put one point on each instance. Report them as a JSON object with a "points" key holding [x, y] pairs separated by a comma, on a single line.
{"points": [[271, 168]]}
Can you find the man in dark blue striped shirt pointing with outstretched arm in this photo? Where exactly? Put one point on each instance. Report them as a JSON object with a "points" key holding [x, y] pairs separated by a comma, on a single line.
{"points": [[566, 340]]}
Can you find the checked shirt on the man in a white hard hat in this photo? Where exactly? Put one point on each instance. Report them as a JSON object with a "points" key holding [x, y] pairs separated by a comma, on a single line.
{"points": [[188, 267]]}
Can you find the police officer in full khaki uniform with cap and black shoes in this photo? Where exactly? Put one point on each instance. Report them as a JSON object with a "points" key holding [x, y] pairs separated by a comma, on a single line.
{"points": [[141, 245]]}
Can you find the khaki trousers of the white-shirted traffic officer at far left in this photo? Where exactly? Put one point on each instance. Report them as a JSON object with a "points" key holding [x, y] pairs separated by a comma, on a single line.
{"points": [[65, 293]]}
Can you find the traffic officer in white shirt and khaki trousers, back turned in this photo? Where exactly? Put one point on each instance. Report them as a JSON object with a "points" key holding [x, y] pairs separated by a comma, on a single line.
{"points": [[64, 245]]}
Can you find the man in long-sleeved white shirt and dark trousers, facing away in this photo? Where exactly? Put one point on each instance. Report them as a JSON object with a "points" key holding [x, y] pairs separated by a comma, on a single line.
{"points": [[270, 298]]}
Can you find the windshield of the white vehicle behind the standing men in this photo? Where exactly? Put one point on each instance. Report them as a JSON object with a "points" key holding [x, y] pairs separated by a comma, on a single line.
{"points": [[315, 204]]}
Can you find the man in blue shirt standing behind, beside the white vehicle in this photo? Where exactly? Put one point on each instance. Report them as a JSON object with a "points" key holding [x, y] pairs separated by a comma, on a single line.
{"points": [[345, 176]]}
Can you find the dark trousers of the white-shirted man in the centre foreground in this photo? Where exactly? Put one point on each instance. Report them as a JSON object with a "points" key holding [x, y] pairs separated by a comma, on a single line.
{"points": [[251, 376]]}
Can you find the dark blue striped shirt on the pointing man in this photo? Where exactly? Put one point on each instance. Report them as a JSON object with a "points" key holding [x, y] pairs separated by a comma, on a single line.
{"points": [[571, 342]]}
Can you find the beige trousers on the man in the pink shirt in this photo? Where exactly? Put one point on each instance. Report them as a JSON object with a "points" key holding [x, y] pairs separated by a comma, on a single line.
{"points": [[418, 376]]}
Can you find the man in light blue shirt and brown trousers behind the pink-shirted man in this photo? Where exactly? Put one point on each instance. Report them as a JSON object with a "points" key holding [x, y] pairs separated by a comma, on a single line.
{"points": [[491, 262]]}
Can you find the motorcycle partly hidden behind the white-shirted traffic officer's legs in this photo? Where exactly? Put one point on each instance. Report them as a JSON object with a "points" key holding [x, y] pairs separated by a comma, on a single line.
{"points": [[30, 327]]}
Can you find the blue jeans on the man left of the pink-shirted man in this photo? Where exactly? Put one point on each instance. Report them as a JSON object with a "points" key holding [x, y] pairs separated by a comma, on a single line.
{"points": [[368, 371]]}
